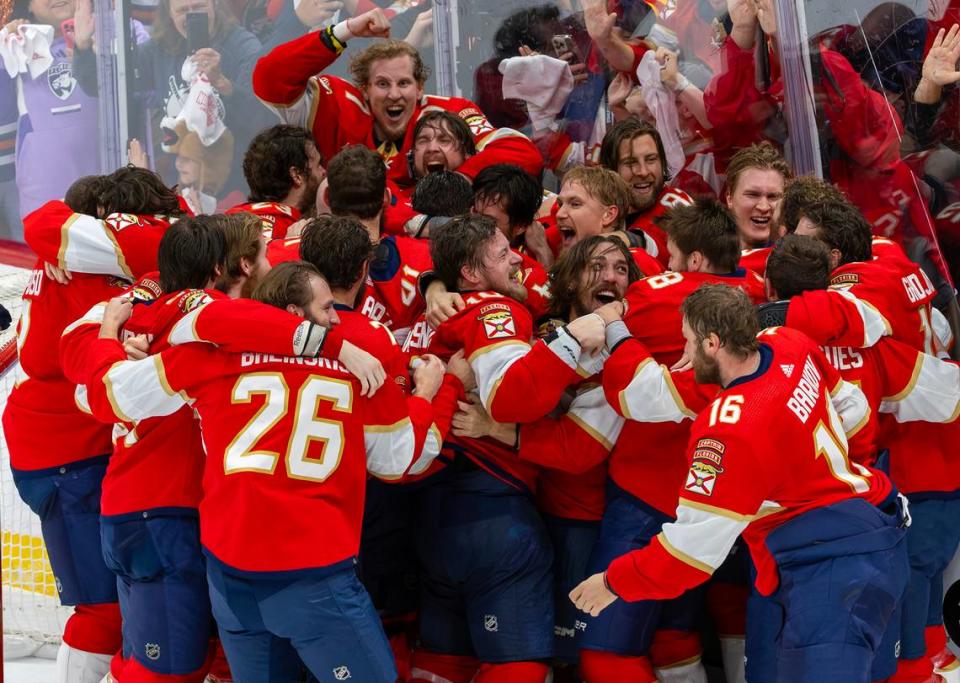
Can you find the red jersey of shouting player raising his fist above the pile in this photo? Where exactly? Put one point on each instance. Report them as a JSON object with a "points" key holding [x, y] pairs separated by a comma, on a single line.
{"points": [[288, 80]]}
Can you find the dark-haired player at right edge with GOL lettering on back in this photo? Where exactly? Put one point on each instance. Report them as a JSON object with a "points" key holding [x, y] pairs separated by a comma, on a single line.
{"points": [[919, 454]]}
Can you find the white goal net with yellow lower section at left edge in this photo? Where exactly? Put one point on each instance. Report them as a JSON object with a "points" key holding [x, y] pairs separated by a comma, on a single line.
{"points": [[33, 619]]}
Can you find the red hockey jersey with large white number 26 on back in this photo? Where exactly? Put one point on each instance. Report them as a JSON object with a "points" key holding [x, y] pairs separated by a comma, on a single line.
{"points": [[288, 439]]}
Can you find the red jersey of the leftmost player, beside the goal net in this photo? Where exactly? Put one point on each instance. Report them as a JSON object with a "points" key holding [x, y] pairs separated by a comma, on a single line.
{"points": [[103, 255]]}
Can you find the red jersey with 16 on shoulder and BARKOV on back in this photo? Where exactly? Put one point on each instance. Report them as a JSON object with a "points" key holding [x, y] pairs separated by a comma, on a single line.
{"points": [[796, 406]]}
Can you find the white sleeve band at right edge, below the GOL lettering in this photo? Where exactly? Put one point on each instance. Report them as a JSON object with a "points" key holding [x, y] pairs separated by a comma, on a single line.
{"points": [[933, 394]]}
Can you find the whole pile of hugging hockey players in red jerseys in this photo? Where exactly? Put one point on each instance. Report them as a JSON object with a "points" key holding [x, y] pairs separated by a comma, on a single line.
{"points": [[406, 414]]}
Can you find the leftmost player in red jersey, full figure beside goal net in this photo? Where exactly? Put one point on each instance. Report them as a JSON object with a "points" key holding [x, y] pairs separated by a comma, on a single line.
{"points": [[58, 453]]}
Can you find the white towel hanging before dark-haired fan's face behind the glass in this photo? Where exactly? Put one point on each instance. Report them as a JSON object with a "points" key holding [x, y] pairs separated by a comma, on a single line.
{"points": [[543, 82]]}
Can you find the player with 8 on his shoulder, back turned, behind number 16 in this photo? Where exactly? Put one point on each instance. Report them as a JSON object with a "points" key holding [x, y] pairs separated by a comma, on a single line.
{"points": [[647, 465]]}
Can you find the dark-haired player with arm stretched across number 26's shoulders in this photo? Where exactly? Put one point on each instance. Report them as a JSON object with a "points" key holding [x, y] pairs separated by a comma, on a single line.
{"points": [[152, 486]]}
